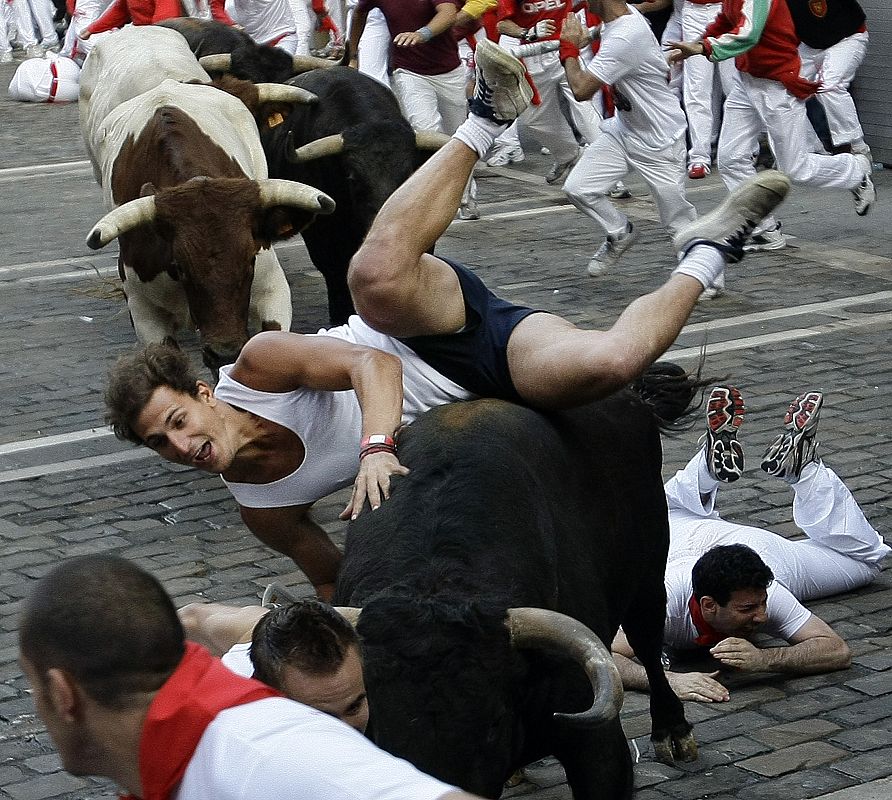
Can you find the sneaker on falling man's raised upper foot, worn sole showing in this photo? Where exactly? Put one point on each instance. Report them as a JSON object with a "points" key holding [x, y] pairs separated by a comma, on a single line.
{"points": [[502, 92]]}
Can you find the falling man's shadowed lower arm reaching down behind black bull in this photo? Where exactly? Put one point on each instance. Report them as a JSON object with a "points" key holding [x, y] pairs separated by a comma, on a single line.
{"points": [[292, 531]]}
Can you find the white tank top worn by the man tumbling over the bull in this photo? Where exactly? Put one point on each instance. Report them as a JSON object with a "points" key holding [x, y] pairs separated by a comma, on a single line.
{"points": [[329, 424]]}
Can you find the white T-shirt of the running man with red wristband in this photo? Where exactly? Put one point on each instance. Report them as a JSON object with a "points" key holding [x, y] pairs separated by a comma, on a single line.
{"points": [[630, 60]]}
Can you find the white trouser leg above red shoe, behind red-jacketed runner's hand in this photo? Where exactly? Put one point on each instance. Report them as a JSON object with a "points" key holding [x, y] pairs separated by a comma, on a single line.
{"points": [[698, 82]]}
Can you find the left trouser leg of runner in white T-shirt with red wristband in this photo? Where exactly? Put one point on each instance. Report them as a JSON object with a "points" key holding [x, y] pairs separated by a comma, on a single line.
{"points": [[601, 165]]}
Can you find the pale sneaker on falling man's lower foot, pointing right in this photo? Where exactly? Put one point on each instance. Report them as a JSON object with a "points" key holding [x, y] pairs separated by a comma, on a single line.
{"points": [[728, 226]]}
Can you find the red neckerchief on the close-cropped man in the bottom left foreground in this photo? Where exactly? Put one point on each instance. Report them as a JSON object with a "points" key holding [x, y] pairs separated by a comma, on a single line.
{"points": [[199, 689]]}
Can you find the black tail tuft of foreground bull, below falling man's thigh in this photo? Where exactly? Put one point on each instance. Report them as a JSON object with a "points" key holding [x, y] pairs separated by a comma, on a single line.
{"points": [[674, 394]]}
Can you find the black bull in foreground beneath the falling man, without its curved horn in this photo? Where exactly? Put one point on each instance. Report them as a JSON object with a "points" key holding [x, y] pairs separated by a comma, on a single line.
{"points": [[506, 507]]}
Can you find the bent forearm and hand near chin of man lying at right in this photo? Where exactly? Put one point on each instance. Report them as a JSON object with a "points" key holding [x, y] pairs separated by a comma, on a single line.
{"points": [[814, 648]]}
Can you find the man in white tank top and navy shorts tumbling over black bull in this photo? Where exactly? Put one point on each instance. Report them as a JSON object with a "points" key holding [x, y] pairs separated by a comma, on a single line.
{"points": [[300, 416]]}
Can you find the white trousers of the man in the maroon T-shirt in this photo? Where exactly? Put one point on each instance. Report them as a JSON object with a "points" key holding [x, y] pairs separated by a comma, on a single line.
{"points": [[432, 102]]}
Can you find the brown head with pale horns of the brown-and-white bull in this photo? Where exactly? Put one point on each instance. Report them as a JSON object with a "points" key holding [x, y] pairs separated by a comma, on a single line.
{"points": [[206, 233]]}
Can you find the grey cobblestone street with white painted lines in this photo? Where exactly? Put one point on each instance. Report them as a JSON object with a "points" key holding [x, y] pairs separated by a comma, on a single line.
{"points": [[817, 314]]}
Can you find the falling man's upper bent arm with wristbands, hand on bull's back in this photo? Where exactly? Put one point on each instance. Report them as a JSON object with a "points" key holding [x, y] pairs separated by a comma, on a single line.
{"points": [[276, 361]]}
